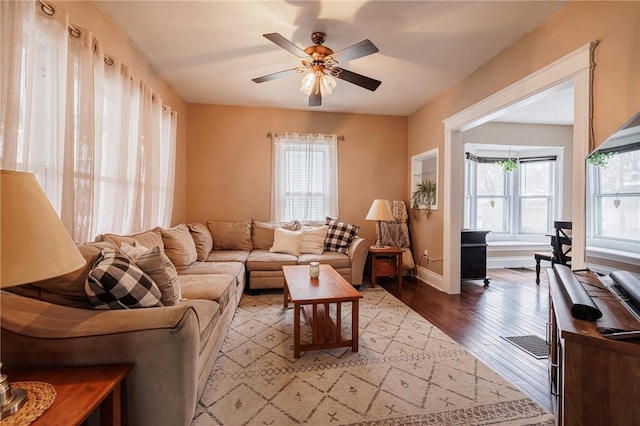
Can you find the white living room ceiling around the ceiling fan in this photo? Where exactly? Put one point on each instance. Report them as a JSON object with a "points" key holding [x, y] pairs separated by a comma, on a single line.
{"points": [[210, 50]]}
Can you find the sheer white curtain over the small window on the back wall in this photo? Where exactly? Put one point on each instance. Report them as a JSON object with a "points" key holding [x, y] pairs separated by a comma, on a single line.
{"points": [[305, 177]]}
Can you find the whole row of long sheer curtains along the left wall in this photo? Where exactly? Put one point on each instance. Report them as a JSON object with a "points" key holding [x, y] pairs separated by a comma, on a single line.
{"points": [[99, 141]]}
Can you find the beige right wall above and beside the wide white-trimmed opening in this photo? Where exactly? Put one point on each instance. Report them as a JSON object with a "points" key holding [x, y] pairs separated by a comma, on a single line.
{"points": [[616, 86]]}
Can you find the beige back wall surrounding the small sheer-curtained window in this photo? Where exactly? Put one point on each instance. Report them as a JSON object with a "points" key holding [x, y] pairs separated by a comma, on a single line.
{"points": [[229, 160]]}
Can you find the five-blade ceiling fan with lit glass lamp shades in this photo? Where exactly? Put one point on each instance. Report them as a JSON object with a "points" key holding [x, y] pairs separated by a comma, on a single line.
{"points": [[320, 64]]}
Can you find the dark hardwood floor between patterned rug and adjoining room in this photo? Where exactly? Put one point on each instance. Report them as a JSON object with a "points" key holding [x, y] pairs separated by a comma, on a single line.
{"points": [[479, 317]]}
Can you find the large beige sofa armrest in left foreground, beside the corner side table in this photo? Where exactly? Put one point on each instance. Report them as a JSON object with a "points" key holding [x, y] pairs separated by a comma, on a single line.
{"points": [[161, 343]]}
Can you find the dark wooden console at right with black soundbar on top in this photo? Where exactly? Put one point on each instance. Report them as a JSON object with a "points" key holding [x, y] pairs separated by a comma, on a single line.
{"points": [[595, 380]]}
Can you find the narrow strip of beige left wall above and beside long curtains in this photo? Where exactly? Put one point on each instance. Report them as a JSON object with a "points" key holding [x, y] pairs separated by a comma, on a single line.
{"points": [[86, 14]]}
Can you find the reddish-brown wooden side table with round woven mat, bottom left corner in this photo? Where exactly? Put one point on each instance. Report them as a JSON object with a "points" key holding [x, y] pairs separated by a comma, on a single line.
{"points": [[80, 390]]}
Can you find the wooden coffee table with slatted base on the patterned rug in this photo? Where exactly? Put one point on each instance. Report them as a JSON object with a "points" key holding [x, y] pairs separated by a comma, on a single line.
{"points": [[315, 296]]}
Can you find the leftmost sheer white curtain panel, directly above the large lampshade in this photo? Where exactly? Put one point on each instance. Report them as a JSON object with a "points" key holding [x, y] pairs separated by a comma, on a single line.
{"points": [[34, 46]]}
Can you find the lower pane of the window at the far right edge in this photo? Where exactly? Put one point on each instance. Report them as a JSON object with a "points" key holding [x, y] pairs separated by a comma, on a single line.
{"points": [[622, 222]]}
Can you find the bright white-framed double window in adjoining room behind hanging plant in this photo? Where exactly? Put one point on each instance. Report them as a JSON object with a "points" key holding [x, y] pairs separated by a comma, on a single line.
{"points": [[518, 202]]}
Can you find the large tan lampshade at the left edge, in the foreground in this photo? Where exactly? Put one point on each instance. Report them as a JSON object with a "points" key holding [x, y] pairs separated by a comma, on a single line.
{"points": [[34, 244]]}
